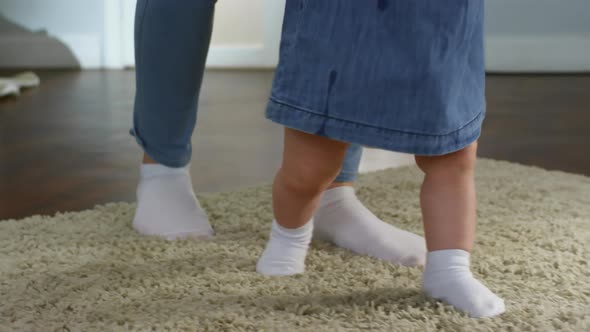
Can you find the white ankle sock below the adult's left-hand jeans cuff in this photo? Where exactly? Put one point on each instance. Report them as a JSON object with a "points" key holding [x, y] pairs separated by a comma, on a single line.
{"points": [[167, 205]]}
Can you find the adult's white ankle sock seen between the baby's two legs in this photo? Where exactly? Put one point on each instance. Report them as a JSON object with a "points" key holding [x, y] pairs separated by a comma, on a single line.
{"points": [[343, 220]]}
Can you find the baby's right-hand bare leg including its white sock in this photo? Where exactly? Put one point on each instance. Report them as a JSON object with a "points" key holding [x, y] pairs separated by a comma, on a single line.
{"points": [[448, 208]]}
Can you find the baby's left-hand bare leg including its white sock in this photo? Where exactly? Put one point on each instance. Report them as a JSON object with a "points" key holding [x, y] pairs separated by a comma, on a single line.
{"points": [[310, 164]]}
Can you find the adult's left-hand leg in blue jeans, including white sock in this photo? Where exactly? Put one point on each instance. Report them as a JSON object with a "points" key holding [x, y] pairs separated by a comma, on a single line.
{"points": [[171, 44]]}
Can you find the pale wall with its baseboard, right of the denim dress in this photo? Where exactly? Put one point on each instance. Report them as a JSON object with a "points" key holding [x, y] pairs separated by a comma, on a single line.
{"points": [[538, 35]]}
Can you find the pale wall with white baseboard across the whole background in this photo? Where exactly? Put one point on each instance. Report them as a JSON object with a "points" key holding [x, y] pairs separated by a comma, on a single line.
{"points": [[522, 35]]}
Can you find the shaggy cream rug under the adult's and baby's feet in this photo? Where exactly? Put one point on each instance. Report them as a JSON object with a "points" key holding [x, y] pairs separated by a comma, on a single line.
{"points": [[89, 271]]}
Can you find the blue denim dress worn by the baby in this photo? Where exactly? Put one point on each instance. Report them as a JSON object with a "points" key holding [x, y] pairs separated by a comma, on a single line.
{"points": [[400, 75]]}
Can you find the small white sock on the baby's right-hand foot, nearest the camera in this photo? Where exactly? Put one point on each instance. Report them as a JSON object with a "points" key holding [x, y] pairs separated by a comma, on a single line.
{"points": [[447, 277]]}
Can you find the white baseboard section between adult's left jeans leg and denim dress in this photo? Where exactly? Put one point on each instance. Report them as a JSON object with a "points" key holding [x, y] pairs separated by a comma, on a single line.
{"points": [[241, 56]]}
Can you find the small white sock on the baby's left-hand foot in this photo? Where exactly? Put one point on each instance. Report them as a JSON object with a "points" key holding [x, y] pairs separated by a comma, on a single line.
{"points": [[285, 251]]}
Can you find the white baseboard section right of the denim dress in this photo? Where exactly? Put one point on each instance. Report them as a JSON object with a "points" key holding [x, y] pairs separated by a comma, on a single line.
{"points": [[546, 54]]}
